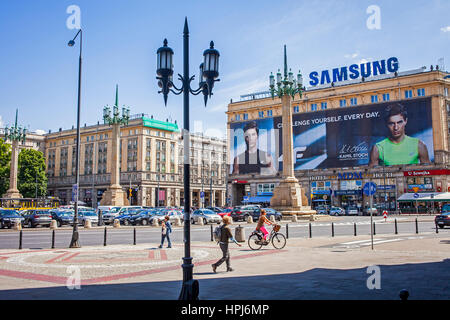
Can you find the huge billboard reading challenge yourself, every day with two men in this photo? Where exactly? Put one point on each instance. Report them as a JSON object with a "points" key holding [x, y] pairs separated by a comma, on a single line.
{"points": [[390, 133]]}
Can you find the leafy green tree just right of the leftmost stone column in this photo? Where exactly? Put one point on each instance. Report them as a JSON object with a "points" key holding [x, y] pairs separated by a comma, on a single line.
{"points": [[32, 169]]}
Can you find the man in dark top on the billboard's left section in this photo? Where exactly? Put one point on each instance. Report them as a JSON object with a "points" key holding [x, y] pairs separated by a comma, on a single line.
{"points": [[253, 160]]}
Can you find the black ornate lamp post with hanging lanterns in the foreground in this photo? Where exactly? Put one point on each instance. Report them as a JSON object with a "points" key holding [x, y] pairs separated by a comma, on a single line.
{"points": [[209, 72]]}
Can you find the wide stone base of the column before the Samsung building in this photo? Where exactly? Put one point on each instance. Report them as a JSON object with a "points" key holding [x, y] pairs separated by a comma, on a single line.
{"points": [[289, 199]]}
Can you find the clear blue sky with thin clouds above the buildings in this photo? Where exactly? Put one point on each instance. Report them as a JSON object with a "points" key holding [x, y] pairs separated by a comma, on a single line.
{"points": [[38, 71]]}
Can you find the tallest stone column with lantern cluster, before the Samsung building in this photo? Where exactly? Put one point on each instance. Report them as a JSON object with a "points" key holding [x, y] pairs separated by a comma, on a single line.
{"points": [[288, 196]]}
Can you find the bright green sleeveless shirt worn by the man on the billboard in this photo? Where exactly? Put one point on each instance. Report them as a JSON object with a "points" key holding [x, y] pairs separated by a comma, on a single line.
{"points": [[405, 152]]}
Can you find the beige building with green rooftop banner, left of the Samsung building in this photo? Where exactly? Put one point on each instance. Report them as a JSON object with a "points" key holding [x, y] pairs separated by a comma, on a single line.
{"points": [[151, 167]]}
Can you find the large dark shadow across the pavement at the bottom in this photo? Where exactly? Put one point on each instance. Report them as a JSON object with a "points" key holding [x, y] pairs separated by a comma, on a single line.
{"points": [[424, 281]]}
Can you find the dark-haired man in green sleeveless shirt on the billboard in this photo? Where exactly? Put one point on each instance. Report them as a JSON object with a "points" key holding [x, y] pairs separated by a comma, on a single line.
{"points": [[398, 148]]}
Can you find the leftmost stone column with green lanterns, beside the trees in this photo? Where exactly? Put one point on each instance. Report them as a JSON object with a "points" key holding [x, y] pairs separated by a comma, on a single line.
{"points": [[15, 135]]}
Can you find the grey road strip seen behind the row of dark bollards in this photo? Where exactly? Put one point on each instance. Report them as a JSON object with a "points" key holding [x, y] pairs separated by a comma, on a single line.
{"points": [[41, 238]]}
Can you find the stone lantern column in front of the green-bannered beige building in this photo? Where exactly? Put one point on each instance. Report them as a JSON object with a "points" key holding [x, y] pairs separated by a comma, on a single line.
{"points": [[115, 196]]}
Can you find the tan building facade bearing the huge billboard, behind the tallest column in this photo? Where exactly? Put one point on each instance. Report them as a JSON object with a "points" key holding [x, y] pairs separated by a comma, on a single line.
{"points": [[333, 140]]}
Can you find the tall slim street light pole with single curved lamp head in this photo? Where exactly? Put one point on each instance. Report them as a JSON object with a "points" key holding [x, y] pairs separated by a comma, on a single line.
{"points": [[74, 243]]}
